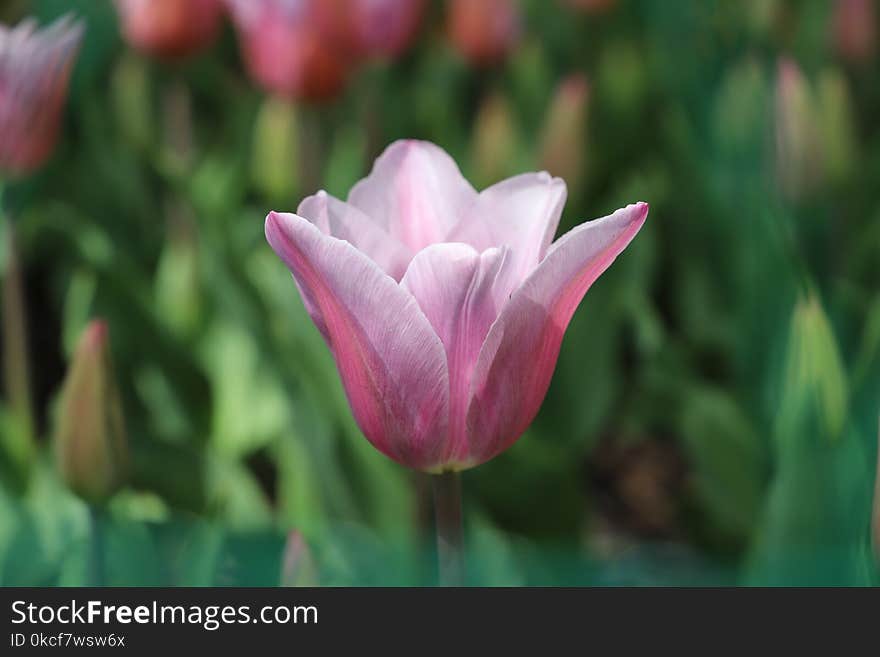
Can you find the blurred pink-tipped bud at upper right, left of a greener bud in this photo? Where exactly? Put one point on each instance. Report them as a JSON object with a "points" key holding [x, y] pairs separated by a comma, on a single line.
{"points": [[798, 157]]}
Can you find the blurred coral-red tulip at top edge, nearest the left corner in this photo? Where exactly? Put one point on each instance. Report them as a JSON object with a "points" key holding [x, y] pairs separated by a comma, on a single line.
{"points": [[170, 28]]}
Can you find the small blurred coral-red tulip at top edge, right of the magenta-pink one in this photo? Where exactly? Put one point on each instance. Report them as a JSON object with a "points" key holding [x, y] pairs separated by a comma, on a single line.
{"points": [[484, 31]]}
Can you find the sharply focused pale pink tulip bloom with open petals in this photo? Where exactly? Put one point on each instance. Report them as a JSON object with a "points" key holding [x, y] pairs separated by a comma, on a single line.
{"points": [[444, 308]]}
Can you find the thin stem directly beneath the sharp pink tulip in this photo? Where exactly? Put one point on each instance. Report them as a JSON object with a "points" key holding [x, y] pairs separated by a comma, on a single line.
{"points": [[447, 515]]}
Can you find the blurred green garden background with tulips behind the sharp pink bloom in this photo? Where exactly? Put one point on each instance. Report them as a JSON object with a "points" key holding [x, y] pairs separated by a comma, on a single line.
{"points": [[172, 417]]}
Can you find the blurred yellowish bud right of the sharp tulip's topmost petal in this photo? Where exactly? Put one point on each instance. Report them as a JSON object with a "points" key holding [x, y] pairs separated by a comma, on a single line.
{"points": [[494, 141]]}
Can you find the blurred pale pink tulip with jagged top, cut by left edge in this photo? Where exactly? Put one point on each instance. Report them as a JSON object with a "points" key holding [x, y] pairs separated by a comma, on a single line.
{"points": [[34, 72]]}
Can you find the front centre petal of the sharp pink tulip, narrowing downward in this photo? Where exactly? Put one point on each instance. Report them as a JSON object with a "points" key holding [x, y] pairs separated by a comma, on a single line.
{"points": [[461, 292]]}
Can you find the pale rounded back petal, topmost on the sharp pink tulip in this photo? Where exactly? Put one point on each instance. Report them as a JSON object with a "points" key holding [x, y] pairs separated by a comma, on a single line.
{"points": [[416, 190]]}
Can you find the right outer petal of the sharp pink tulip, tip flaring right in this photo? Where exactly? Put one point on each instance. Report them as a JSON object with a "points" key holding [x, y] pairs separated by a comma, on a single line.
{"points": [[517, 360]]}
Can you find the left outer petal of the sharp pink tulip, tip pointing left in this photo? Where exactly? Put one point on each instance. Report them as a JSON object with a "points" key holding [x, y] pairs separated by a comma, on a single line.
{"points": [[391, 362]]}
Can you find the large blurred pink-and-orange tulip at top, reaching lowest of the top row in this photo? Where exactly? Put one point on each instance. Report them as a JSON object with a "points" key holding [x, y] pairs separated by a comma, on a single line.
{"points": [[287, 48]]}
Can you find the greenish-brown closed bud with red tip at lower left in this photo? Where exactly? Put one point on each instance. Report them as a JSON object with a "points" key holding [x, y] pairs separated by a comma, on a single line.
{"points": [[90, 442]]}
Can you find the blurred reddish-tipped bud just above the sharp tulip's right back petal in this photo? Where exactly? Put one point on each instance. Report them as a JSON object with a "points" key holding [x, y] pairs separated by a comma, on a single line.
{"points": [[564, 134]]}
